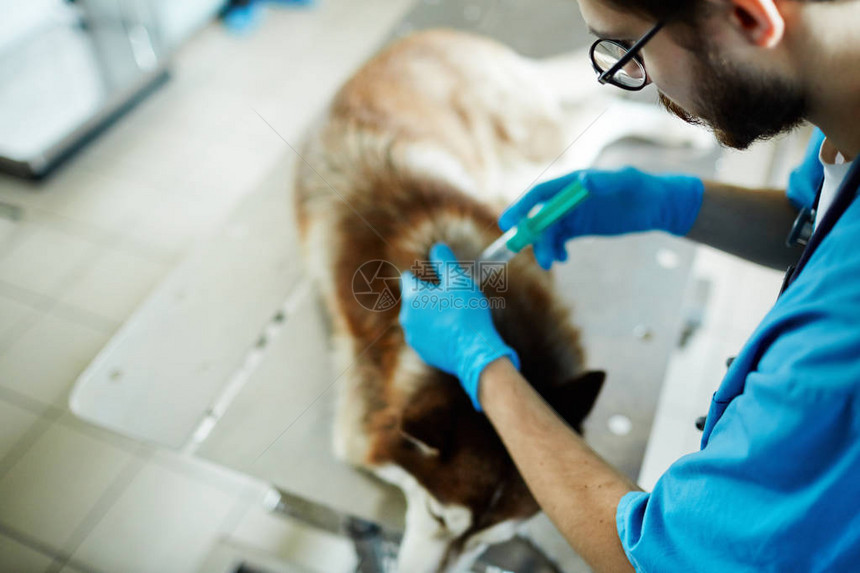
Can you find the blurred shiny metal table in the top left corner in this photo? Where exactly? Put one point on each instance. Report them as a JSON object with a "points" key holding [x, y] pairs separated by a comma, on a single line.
{"points": [[69, 68]]}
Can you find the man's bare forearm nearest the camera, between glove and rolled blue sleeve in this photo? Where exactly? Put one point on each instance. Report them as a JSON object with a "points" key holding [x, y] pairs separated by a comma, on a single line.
{"points": [[577, 489]]}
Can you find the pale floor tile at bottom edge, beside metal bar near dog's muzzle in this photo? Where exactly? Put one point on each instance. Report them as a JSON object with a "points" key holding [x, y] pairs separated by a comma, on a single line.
{"points": [[291, 540]]}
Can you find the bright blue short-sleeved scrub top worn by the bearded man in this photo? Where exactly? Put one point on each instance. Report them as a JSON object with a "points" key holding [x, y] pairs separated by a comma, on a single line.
{"points": [[776, 484]]}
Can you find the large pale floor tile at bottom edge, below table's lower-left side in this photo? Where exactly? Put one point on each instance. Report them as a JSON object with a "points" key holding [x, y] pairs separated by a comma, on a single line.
{"points": [[164, 522]]}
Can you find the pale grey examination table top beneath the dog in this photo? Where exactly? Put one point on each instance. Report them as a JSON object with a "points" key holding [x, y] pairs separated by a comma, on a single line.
{"points": [[228, 359]]}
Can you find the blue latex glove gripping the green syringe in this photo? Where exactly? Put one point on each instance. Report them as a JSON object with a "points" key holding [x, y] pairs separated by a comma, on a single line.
{"points": [[619, 202]]}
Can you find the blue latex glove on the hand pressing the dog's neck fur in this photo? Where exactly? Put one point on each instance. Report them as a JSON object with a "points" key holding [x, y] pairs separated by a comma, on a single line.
{"points": [[449, 325]]}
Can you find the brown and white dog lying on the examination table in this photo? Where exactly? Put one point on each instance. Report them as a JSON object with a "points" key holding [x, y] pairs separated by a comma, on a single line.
{"points": [[419, 147]]}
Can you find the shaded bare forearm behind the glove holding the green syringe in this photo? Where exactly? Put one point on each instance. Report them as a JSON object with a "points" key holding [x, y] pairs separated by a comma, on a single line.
{"points": [[749, 223]]}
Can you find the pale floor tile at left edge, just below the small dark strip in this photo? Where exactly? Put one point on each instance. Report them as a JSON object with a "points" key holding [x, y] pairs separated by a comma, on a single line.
{"points": [[41, 258]]}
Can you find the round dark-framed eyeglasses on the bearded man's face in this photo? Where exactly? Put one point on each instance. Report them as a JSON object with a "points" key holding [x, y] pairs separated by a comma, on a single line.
{"points": [[619, 64]]}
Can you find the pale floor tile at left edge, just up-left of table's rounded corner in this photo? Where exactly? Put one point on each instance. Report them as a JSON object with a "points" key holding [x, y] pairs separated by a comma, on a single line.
{"points": [[45, 361]]}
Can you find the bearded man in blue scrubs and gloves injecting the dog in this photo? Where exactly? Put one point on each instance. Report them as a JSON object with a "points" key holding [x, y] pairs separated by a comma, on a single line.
{"points": [[776, 484]]}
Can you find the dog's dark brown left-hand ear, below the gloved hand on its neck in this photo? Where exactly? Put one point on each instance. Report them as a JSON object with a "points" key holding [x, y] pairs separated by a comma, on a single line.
{"points": [[428, 422]]}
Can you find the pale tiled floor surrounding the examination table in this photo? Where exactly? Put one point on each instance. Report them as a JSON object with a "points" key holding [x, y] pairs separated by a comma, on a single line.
{"points": [[96, 238]]}
